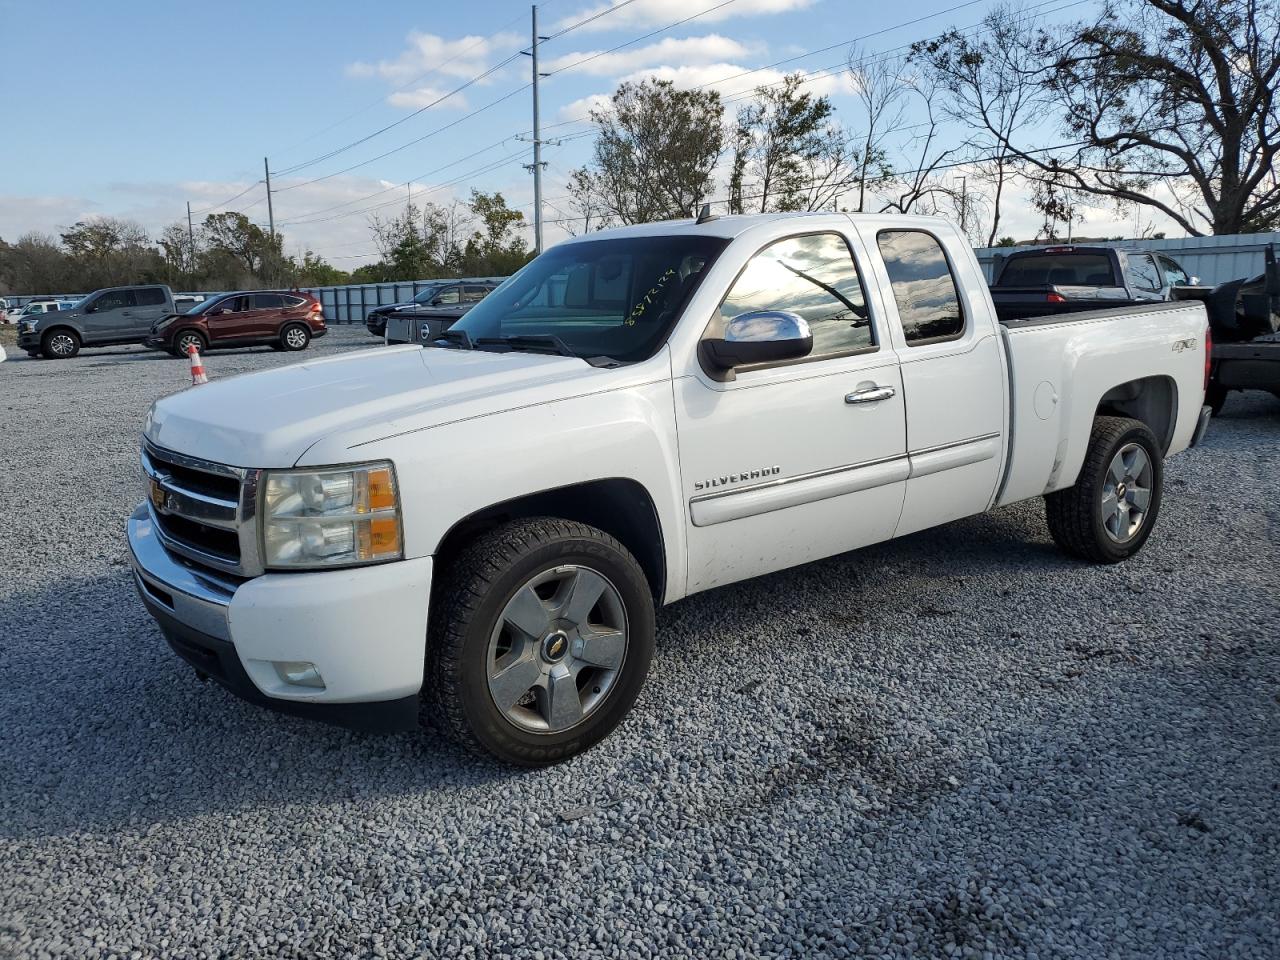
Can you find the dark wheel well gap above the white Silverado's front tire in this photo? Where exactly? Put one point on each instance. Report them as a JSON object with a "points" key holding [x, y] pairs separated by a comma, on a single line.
{"points": [[620, 508]]}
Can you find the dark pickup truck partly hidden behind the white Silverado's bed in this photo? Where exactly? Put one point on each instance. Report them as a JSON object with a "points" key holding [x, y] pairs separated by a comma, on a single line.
{"points": [[1064, 280]]}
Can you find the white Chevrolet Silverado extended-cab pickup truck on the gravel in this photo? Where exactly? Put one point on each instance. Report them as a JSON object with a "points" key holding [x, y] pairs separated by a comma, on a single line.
{"points": [[481, 531]]}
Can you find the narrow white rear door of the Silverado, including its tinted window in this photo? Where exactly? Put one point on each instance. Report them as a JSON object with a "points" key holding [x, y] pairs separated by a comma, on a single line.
{"points": [[953, 376]]}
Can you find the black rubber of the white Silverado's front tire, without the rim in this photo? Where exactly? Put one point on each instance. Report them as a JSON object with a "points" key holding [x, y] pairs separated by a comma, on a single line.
{"points": [[469, 604]]}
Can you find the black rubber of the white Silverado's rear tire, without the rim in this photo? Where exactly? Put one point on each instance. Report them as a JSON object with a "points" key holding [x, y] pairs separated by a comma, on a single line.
{"points": [[1077, 515]]}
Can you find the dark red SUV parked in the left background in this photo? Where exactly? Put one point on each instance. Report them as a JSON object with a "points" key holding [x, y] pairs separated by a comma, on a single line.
{"points": [[281, 319]]}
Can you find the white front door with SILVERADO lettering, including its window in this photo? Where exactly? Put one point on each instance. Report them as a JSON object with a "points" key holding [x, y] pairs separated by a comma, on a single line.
{"points": [[796, 461]]}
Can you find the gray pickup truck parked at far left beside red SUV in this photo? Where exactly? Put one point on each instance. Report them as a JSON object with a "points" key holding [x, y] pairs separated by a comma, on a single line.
{"points": [[106, 318]]}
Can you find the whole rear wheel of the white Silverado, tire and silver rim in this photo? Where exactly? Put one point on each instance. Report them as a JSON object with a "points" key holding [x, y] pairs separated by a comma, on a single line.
{"points": [[1110, 513]]}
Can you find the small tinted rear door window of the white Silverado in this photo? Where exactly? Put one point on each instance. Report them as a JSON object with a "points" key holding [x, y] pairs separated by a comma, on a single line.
{"points": [[929, 301]]}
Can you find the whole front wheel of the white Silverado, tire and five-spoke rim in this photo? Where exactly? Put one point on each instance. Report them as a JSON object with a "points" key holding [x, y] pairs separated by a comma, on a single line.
{"points": [[541, 641]]}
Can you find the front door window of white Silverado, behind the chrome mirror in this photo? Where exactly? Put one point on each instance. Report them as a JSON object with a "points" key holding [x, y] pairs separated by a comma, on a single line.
{"points": [[815, 277]]}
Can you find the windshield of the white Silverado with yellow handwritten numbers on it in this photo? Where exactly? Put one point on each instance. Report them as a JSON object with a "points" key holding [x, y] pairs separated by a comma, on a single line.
{"points": [[611, 299]]}
